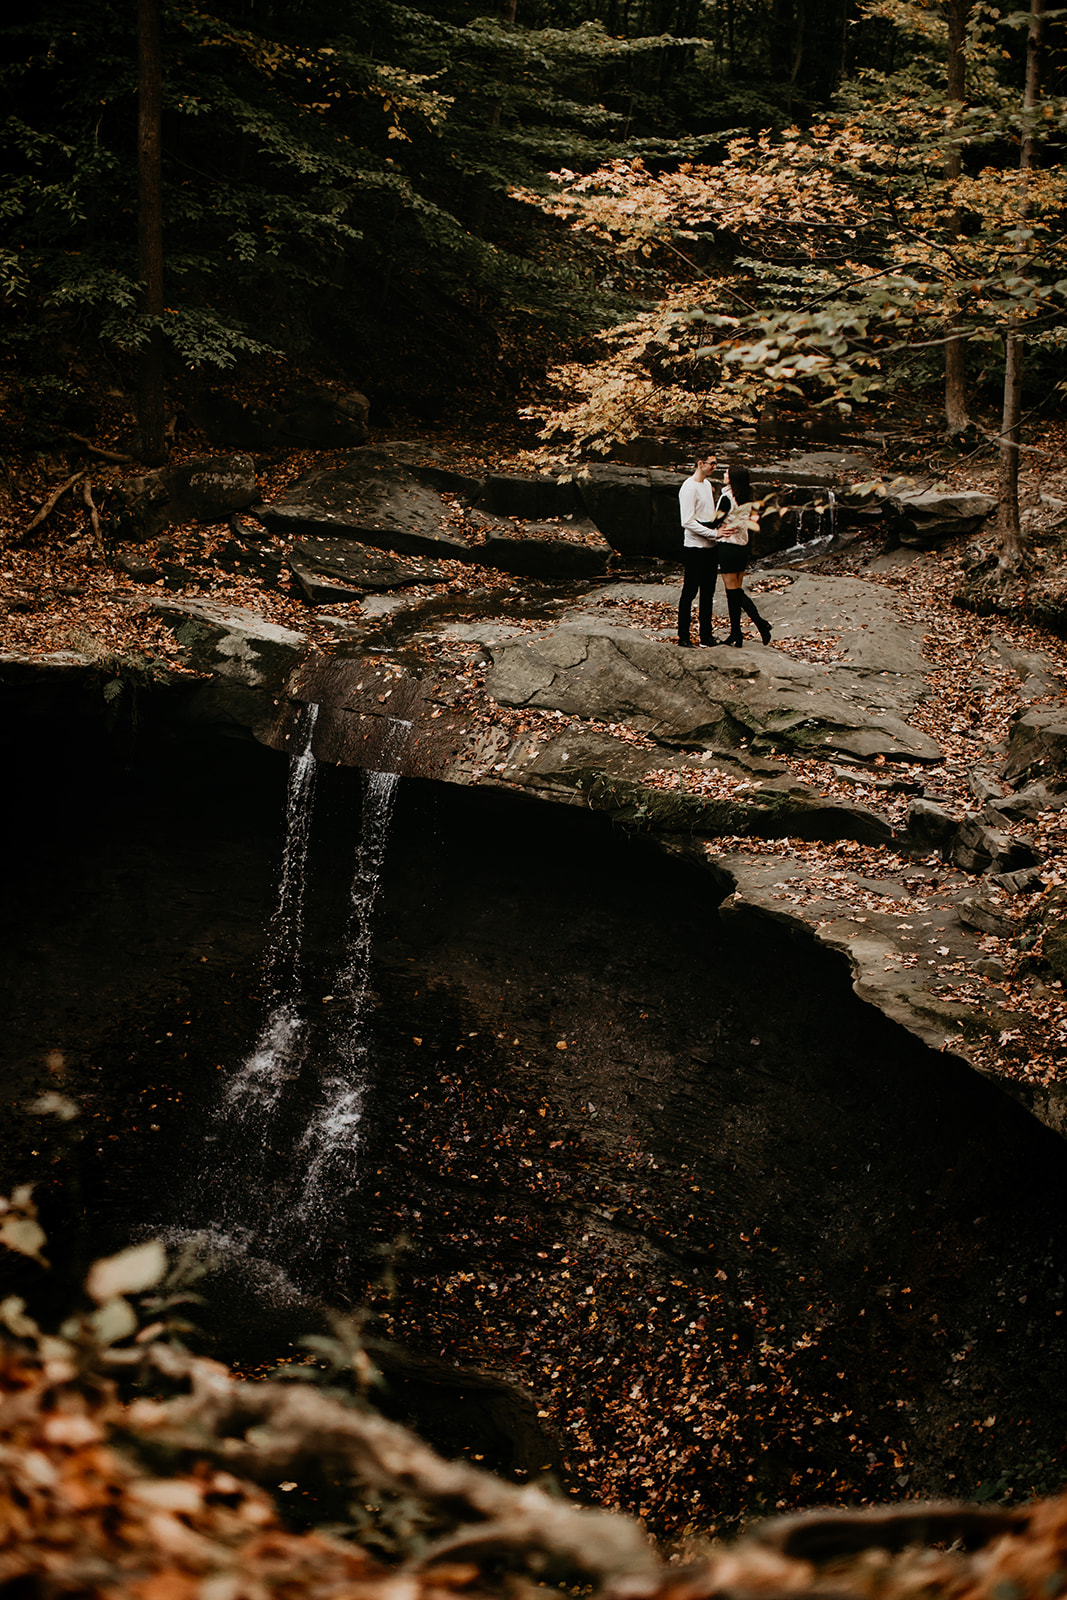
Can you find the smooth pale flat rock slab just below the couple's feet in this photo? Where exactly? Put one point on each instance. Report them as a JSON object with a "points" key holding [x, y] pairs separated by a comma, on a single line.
{"points": [[756, 698]]}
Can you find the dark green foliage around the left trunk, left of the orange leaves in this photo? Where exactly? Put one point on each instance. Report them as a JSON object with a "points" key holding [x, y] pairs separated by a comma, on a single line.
{"points": [[313, 159]]}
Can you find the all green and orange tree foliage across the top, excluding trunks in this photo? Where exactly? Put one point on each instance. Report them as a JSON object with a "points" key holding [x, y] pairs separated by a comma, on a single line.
{"points": [[374, 180]]}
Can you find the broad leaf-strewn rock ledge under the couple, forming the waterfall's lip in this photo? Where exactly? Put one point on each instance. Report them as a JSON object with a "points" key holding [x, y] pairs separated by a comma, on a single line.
{"points": [[701, 714]]}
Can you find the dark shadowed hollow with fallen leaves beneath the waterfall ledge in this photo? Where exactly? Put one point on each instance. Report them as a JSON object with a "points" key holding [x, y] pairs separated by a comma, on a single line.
{"points": [[733, 1239]]}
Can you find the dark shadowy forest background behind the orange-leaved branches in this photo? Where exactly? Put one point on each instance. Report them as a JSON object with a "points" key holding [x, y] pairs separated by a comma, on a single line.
{"points": [[338, 177]]}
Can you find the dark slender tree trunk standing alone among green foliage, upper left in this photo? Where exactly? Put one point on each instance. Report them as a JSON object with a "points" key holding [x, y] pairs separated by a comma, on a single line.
{"points": [[151, 230]]}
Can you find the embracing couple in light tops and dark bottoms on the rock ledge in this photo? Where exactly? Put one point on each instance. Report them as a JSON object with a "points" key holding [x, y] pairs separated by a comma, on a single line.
{"points": [[717, 542]]}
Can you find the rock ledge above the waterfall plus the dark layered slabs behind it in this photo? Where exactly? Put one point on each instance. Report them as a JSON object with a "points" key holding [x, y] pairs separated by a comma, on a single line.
{"points": [[578, 695]]}
